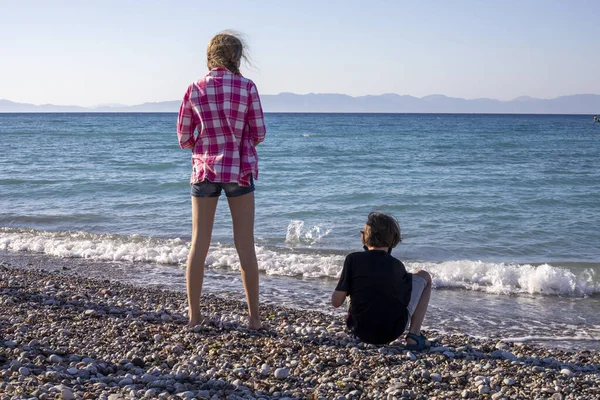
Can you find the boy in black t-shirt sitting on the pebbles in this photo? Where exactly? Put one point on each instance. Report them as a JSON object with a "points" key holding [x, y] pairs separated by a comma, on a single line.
{"points": [[383, 296]]}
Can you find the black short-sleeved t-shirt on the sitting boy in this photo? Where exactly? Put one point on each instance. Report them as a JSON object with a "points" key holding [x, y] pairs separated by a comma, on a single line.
{"points": [[379, 288]]}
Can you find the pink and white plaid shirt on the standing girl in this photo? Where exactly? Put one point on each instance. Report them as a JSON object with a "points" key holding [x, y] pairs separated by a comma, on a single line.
{"points": [[227, 112]]}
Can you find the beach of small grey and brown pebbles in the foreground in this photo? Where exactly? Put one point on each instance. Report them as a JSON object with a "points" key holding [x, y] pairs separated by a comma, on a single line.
{"points": [[63, 336]]}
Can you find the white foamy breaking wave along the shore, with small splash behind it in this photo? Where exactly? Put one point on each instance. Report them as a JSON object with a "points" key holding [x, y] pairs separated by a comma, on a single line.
{"points": [[489, 277]]}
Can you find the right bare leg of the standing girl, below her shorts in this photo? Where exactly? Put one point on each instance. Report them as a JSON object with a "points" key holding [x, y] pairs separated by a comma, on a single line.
{"points": [[242, 216]]}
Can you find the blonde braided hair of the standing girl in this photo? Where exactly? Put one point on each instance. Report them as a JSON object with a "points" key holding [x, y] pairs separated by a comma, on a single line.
{"points": [[226, 49]]}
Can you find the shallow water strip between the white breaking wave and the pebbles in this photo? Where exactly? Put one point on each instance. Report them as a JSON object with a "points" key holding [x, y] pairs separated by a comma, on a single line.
{"points": [[544, 321]]}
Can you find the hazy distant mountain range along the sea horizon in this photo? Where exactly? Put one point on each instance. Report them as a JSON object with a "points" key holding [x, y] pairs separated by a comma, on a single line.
{"points": [[385, 103]]}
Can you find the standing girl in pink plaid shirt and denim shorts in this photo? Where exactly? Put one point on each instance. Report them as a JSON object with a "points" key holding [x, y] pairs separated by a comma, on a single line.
{"points": [[225, 108]]}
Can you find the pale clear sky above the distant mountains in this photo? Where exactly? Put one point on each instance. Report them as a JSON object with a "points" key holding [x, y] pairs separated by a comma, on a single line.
{"points": [[129, 52]]}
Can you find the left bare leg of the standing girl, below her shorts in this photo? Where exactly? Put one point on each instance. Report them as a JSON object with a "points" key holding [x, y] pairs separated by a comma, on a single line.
{"points": [[203, 217]]}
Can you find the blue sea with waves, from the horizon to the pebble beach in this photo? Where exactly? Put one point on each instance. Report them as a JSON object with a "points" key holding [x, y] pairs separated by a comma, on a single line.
{"points": [[502, 210]]}
